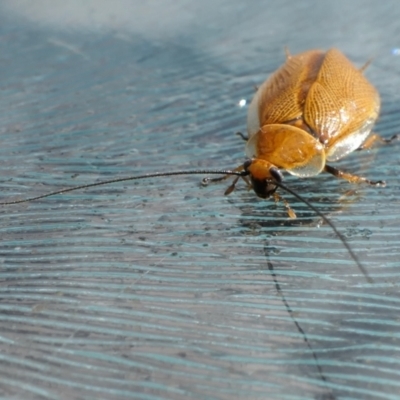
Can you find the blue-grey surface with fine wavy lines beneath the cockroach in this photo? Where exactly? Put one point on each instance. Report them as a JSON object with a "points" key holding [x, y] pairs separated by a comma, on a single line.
{"points": [[162, 289]]}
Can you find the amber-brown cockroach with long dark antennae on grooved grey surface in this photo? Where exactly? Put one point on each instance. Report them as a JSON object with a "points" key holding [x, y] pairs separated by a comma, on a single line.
{"points": [[317, 107]]}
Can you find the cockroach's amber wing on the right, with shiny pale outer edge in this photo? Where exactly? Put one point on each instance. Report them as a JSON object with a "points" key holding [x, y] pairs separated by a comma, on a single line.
{"points": [[341, 106]]}
